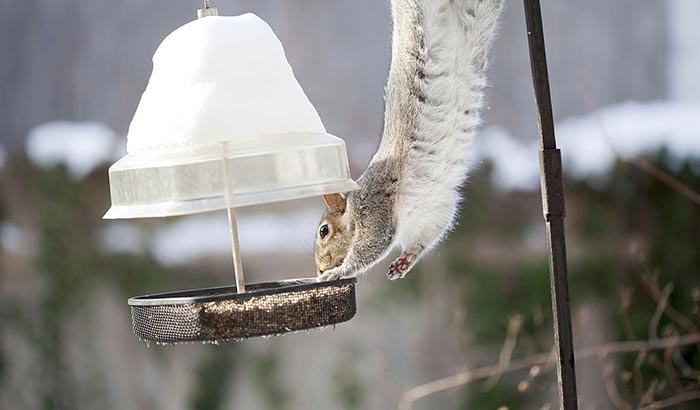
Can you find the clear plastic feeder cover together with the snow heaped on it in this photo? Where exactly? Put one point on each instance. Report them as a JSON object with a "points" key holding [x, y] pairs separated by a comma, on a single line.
{"points": [[223, 123]]}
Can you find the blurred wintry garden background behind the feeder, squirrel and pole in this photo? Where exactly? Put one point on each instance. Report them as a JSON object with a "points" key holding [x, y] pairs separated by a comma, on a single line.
{"points": [[626, 96]]}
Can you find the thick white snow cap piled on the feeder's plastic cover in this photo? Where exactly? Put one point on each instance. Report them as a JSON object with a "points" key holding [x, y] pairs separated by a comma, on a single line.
{"points": [[219, 78]]}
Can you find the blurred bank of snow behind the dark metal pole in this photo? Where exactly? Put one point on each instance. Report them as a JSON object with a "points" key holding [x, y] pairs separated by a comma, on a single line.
{"points": [[589, 142]]}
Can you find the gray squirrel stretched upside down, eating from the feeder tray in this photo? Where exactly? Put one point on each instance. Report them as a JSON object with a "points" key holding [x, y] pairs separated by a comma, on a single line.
{"points": [[409, 193]]}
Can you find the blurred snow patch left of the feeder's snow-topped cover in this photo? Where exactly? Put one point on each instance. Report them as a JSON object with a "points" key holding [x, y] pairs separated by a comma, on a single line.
{"points": [[80, 146]]}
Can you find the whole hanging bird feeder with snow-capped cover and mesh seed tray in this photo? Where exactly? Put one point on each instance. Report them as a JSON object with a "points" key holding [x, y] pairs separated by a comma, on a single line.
{"points": [[223, 123]]}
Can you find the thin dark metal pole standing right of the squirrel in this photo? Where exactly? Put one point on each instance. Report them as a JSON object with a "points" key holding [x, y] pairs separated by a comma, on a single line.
{"points": [[553, 209]]}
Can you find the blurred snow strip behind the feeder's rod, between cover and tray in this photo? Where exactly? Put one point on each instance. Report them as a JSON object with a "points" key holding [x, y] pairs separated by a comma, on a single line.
{"points": [[195, 237]]}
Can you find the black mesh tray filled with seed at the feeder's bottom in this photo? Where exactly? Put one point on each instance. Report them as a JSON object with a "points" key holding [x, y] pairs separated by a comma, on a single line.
{"points": [[265, 309]]}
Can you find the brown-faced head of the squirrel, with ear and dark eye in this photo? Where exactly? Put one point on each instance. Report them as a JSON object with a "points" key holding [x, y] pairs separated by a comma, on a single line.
{"points": [[334, 234]]}
